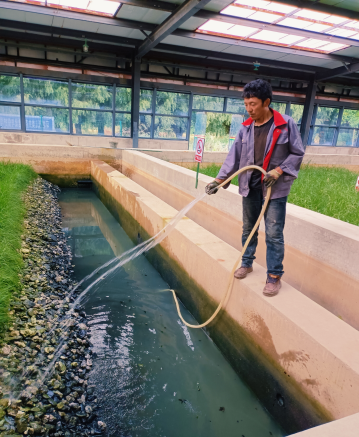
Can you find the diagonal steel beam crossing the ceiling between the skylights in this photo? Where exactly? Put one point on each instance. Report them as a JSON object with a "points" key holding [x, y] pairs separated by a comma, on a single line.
{"points": [[178, 17]]}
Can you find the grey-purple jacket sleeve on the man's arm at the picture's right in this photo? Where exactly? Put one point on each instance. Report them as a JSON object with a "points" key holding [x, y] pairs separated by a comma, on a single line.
{"points": [[291, 165]]}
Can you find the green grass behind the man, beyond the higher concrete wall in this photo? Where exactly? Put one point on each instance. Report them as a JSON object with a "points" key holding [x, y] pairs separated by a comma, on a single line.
{"points": [[328, 190]]}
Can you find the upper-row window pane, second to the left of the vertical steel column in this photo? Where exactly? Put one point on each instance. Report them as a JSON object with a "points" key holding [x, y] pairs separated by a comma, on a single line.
{"points": [[91, 96]]}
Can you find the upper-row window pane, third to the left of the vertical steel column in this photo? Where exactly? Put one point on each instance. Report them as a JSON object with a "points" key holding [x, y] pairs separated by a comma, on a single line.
{"points": [[46, 92]]}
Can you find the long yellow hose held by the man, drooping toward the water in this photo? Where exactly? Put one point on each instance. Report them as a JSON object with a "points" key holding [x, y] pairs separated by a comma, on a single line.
{"points": [[231, 276]]}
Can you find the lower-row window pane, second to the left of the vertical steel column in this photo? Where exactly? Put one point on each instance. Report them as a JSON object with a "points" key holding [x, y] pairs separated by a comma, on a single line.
{"points": [[92, 122]]}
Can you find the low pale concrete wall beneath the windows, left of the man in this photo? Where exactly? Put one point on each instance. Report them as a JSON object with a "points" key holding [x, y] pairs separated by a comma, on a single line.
{"points": [[86, 141]]}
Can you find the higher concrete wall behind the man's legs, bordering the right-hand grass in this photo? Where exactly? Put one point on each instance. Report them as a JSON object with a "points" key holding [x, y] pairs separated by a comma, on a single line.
{"points": [[322, 253]]}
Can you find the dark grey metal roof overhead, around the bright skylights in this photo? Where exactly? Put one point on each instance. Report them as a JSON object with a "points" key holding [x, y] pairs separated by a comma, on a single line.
{"points": [[160, 28]]}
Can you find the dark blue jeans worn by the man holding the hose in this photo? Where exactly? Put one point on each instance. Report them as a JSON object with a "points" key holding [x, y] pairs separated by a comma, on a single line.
{"points": [[274, 219]]}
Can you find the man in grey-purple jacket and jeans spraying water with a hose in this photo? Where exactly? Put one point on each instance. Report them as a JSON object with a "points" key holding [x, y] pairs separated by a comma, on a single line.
{"points": [[271, 141]]}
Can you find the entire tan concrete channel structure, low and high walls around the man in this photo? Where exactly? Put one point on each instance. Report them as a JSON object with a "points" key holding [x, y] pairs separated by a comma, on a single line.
{"points": [[299, 351]]}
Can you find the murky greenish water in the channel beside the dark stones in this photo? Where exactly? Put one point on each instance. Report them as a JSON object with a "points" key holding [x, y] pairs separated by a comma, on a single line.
{"points": [[153, 376]]}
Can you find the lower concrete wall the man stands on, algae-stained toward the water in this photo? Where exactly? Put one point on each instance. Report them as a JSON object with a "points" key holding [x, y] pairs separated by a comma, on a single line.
{"points": [[286, 347]]}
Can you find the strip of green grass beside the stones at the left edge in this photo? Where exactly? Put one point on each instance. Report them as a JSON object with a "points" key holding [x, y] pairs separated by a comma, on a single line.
{"points": [[14, 179]]}
